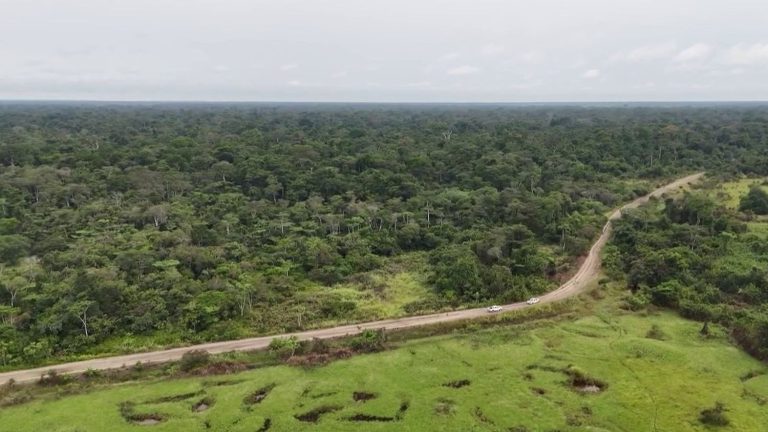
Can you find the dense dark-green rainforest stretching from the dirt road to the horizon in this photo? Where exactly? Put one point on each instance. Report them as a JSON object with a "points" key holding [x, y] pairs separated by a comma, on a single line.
{"points": [[205, 221]]}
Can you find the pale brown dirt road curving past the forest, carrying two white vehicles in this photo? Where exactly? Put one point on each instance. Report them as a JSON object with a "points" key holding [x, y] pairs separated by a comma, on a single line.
{"points": [[587, 272]]}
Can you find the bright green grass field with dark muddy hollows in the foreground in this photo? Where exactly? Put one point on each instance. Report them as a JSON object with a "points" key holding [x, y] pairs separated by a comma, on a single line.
{"points": [[598, 373]]}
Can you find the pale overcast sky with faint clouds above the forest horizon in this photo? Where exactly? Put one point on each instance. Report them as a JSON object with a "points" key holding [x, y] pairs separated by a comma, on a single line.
{"points": [[385, 50]]}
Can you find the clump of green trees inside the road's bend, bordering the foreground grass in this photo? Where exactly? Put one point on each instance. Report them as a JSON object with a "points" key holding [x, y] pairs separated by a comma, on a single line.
{"points": [[698, 257]]}
